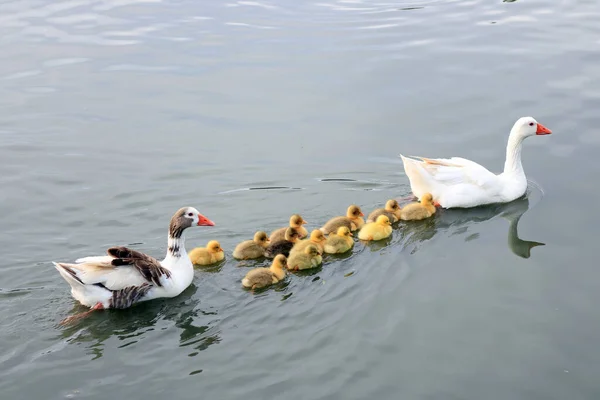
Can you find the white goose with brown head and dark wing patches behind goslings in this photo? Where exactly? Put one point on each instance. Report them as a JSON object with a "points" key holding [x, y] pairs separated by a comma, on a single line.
{"points": [[125, 276]]}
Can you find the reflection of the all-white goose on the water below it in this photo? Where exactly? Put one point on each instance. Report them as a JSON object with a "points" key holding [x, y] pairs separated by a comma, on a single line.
{"points": [[457, 221]]}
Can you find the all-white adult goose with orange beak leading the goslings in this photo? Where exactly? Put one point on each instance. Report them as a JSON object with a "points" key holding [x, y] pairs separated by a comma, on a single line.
{"points": [[458, 182]]}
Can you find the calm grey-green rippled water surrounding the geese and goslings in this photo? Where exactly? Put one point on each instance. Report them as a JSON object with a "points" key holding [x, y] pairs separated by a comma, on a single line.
{"points": [[115, 113]]}
